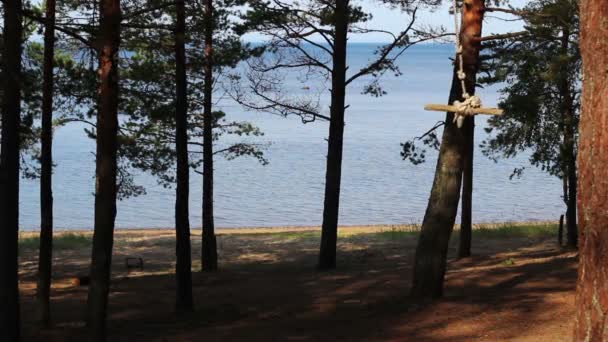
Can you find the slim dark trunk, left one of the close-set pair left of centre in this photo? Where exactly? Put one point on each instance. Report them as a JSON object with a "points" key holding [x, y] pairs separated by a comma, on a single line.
{"points": [[183, 267]]}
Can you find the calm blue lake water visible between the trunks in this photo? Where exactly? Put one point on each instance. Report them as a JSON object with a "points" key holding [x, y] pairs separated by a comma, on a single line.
{"points": [[378, 187]]}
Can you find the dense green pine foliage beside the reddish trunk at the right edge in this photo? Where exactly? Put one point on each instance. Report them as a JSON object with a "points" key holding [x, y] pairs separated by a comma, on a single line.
{"points": [[542, 72]]}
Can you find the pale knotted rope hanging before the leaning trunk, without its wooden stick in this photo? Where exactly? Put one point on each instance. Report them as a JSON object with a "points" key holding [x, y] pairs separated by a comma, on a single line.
{"points": [[470, 102]]}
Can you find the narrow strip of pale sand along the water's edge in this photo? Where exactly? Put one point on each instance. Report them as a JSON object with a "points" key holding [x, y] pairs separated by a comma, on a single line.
{"points": [[372, 228]]}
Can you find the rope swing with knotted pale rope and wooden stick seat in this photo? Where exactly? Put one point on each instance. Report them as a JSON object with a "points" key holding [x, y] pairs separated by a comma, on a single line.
{"points": [[471, 104]]}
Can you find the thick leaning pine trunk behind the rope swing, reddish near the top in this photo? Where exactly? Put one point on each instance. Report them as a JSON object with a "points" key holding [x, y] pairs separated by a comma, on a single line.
{"points": [[438, 223]]}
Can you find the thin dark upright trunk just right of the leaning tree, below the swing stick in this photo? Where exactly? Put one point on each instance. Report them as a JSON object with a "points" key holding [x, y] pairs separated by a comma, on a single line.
{"points": [[466, 216]]}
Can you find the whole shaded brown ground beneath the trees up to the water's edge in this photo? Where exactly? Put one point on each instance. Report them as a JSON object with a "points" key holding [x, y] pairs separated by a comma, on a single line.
{"points": [[517, 286]]}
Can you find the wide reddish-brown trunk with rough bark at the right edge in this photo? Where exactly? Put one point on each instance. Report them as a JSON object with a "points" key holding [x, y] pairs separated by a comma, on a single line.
{"points": [[592, 289]]}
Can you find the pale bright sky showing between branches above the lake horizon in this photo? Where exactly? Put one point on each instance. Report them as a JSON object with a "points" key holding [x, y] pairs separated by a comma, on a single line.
{"points": [[394, 21]]}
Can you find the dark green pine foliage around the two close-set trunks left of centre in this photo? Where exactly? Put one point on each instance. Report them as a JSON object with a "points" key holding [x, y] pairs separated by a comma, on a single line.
{"points": [[148, 89]]}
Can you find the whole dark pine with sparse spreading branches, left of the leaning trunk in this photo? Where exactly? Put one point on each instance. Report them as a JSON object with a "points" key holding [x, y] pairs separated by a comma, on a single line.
{"points": [[289, 28]]}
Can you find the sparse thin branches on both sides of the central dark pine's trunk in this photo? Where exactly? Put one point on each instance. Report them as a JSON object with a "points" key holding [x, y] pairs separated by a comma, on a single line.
{"points": [[301, 40]]}
